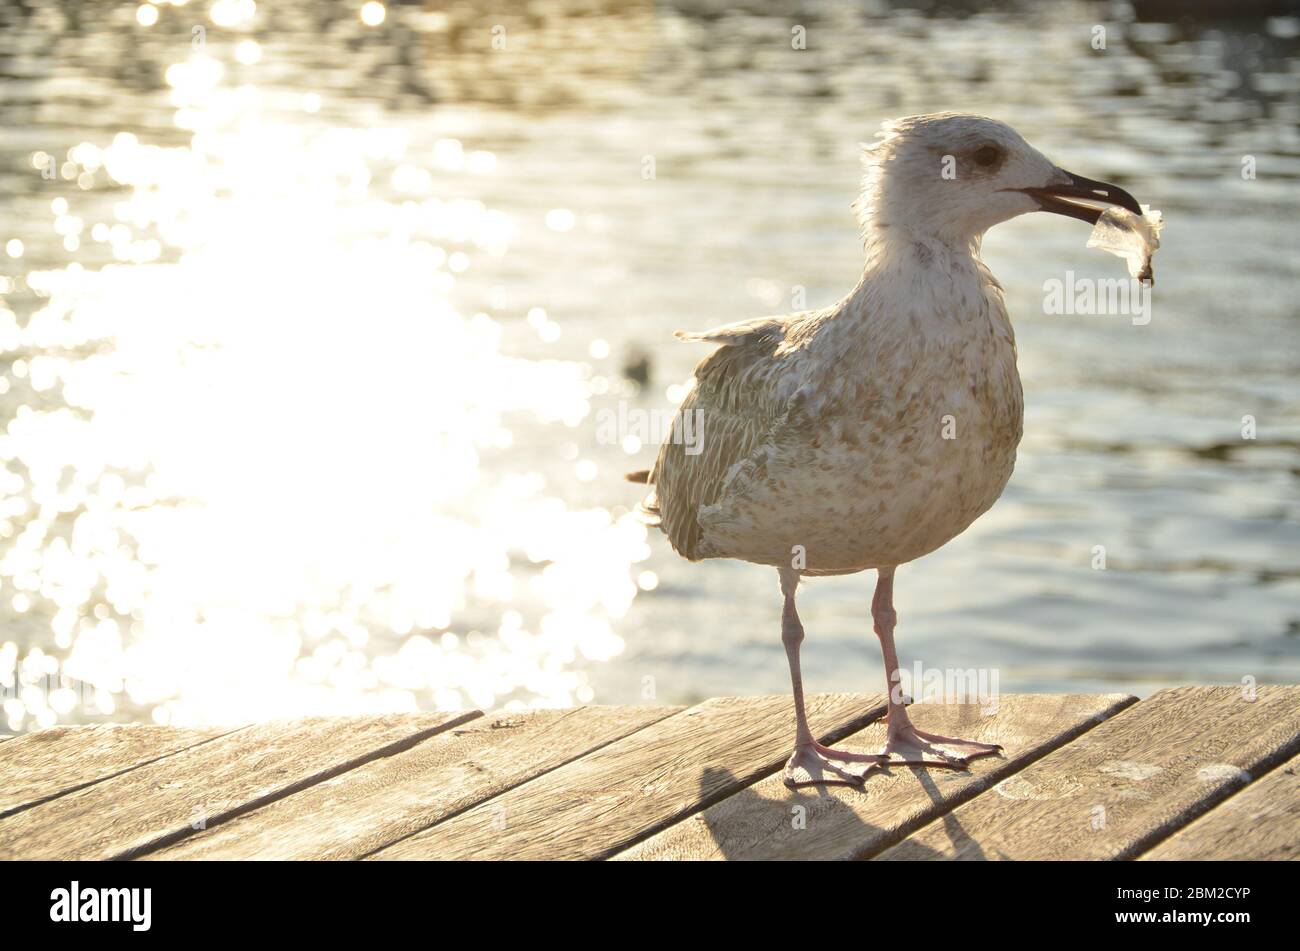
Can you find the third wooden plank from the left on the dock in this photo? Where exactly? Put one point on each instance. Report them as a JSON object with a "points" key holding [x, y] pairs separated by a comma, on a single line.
{"points": [[391, 798]]}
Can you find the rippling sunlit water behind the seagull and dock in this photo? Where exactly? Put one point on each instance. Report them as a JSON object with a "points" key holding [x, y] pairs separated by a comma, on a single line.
{"points": [[306, 344]]}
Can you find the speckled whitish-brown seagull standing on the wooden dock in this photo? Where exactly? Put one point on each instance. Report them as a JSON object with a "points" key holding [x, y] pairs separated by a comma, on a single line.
{"points": [[869, 435]]}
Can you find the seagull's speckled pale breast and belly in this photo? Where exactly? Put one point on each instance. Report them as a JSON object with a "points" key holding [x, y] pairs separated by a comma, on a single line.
{"points": [[905, 432]]}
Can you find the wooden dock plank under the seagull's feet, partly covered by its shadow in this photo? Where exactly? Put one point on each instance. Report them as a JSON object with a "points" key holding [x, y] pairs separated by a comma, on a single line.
{"points": [[772, 822]]}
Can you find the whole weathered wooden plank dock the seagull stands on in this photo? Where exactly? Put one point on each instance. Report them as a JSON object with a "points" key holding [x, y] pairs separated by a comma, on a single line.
{"points": [[1189, 774]]}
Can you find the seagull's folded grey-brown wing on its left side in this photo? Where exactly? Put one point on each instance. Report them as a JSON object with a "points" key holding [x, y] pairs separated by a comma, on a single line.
{"points": [[731, 410]]}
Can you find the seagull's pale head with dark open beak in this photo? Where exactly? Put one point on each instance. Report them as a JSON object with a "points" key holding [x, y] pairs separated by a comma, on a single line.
{"points": [[952, 177]]}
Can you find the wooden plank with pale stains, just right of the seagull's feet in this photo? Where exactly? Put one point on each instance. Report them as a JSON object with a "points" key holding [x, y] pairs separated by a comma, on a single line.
{"points": [[1119, 789]]}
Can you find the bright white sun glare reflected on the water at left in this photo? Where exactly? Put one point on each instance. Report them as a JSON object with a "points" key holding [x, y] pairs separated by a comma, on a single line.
{"points": [[249, 480]]}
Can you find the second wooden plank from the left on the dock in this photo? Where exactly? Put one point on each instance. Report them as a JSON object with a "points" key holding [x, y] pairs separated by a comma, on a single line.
{"points": [[157, 805]]}
